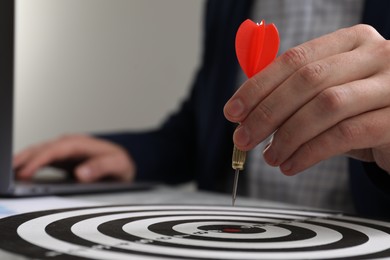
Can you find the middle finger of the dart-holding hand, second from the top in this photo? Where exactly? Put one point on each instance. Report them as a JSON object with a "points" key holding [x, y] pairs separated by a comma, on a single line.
{"points": [[299, 89]]}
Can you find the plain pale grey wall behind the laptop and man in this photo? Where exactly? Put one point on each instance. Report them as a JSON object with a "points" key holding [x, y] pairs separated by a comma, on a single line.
{"points": [[101, 65]]}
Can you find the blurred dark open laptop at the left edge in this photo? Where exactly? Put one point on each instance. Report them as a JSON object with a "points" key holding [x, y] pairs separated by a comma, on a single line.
{"points": [[8, 185]]}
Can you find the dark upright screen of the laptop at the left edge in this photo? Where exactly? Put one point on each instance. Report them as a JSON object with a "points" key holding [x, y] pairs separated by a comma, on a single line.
{"points": [[7, 14]]}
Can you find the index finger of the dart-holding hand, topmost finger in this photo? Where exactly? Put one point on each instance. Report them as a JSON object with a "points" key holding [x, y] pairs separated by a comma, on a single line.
{"points": [[262, 84]]}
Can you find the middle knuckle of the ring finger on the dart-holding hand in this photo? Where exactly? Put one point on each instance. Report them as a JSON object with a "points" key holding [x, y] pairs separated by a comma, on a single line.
{"points": [[331, 100]]}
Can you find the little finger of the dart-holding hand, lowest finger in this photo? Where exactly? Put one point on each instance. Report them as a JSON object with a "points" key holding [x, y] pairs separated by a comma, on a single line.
{"points": [[363, 131]]}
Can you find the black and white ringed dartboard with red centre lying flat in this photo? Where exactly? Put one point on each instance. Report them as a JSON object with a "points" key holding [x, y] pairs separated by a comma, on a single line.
{"points": [[192, 232]]}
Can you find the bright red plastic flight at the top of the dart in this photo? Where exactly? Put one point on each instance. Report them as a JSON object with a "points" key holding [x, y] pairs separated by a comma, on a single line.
{"points": [[256, 46]]}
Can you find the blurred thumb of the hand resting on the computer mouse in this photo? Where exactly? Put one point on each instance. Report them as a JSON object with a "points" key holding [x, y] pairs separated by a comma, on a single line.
{"points": [[116, 166]]}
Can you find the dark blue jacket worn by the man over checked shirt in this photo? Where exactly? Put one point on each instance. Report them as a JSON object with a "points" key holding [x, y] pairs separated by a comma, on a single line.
{"points": [[195, 143]]}
